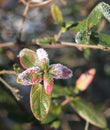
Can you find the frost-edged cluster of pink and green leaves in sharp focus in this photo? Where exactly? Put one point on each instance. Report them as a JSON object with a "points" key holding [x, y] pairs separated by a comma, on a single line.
{"points": [[40, 75]]}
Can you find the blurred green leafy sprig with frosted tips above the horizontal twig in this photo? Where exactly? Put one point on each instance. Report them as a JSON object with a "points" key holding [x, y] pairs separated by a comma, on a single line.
{"points": [[85, 29]]}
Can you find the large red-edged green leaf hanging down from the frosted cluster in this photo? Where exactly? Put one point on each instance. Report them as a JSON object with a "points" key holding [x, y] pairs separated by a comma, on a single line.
{"points": [[39, 101]]}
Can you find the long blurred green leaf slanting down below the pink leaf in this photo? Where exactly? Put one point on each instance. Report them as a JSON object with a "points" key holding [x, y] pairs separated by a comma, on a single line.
{"points": [[88, 113]]}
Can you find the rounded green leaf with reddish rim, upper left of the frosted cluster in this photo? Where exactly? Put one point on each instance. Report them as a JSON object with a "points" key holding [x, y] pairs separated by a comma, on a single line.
{"points": [[28, 58]]}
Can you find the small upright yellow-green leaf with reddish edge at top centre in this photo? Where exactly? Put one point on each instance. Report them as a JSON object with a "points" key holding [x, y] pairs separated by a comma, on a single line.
{"points": [[57, 15]]}
